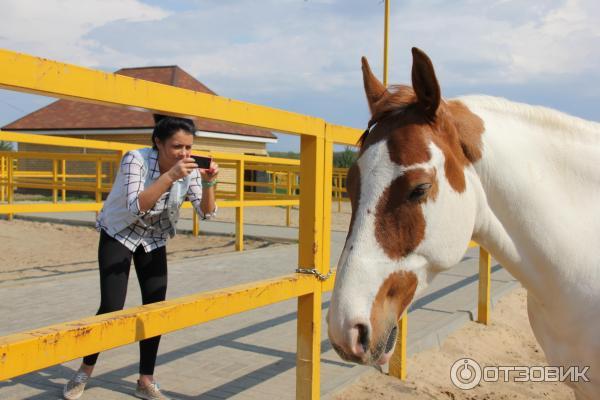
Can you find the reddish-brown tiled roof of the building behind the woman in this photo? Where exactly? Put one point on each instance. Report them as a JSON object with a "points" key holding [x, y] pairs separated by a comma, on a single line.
{"points": [[68, 114]]}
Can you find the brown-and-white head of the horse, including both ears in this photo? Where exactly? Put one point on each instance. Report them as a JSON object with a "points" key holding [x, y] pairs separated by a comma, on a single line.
{"points": [[413, 209]]}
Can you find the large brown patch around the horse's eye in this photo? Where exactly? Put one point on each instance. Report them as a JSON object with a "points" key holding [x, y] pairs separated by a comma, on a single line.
{"points": [[399, 221]]}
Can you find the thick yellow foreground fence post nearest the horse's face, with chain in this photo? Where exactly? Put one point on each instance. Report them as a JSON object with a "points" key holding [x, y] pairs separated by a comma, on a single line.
{"points": [[310, 252]]}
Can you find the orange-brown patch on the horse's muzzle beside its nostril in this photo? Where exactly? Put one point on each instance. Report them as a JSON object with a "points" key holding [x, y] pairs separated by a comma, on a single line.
{"points": [[394, 295]]}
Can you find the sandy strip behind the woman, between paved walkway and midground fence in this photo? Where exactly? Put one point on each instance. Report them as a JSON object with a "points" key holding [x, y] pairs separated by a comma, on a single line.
{"points": [[39, 249]]}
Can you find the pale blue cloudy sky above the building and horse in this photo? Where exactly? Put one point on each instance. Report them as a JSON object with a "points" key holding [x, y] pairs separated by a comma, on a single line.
{"points": [[304, 55]]}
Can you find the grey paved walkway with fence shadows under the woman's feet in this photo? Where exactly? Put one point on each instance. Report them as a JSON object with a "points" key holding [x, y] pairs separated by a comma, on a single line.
{"points": [[246, 356]]}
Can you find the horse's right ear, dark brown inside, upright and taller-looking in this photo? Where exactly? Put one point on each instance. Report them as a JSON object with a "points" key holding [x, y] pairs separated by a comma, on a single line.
{"points": [[425, 83]]}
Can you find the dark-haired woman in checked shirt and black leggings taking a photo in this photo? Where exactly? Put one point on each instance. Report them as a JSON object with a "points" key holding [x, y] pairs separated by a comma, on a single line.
{"points": [[138, 217]]}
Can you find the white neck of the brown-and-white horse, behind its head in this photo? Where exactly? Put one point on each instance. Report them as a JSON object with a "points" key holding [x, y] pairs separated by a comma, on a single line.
{"points": [[539, 174]]}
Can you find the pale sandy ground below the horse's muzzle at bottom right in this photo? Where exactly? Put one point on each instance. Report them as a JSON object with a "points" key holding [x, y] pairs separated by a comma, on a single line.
{"points": [[507, 341]]}
